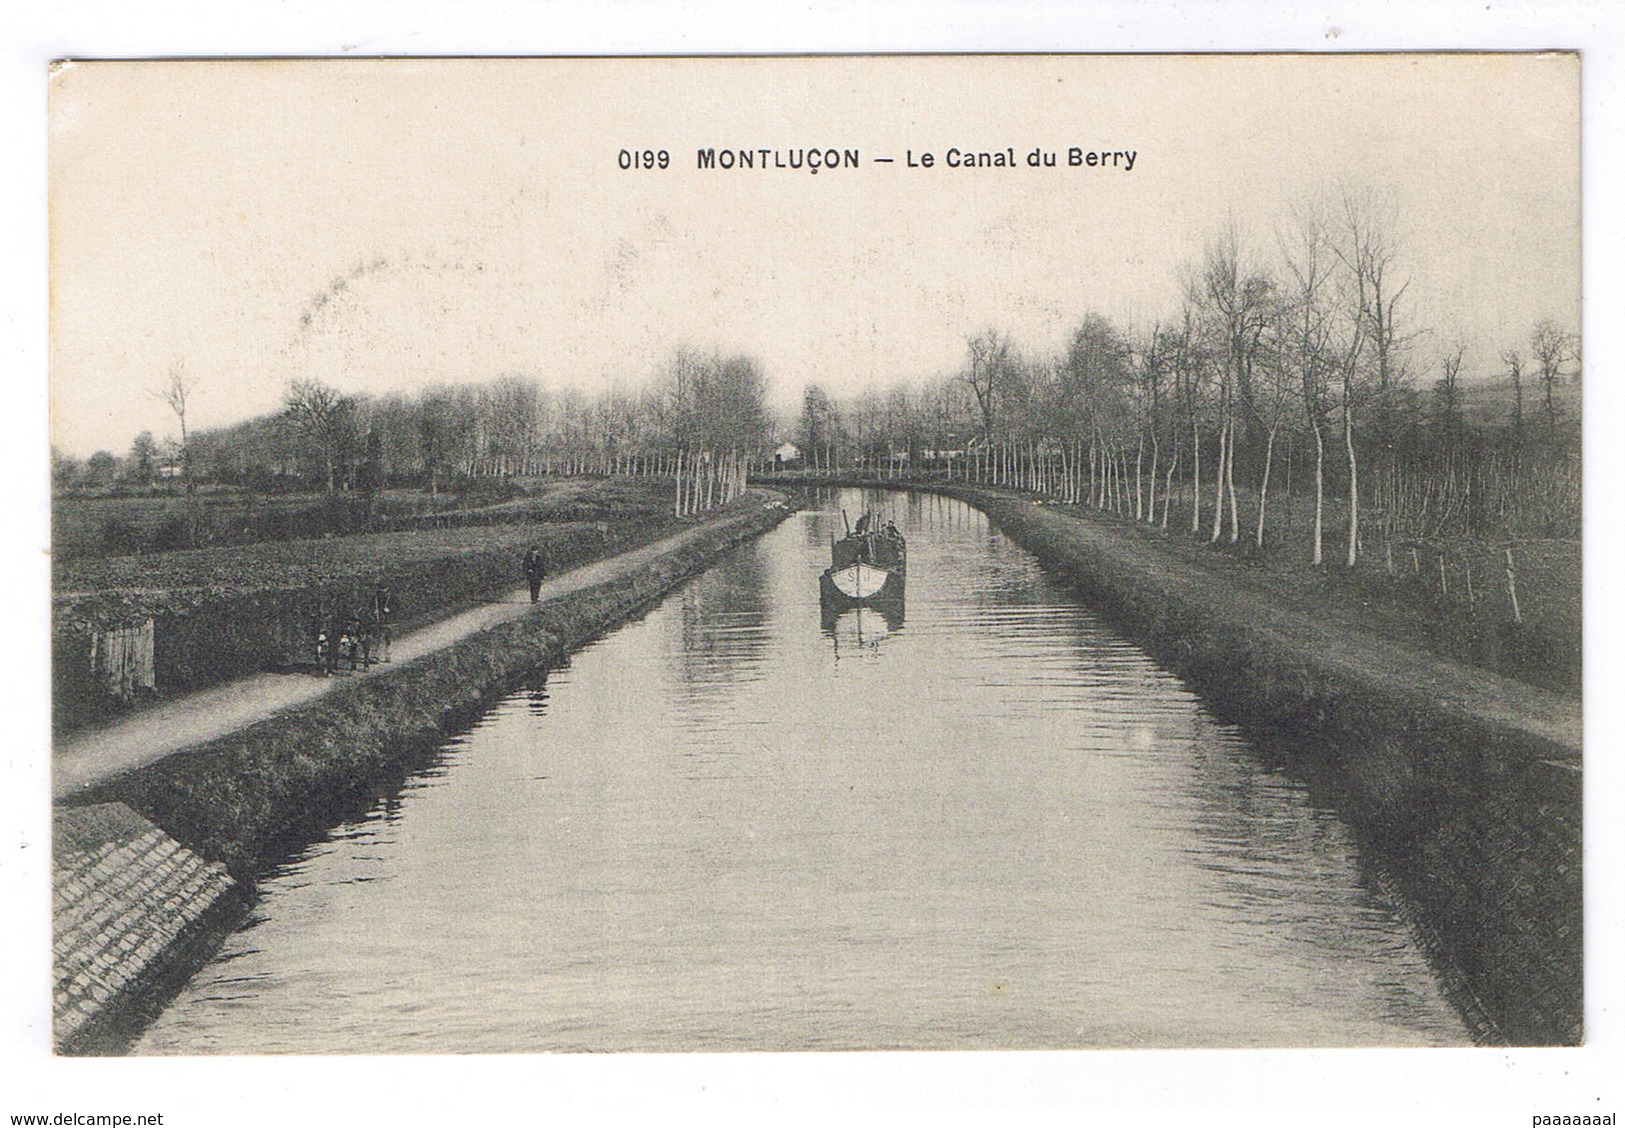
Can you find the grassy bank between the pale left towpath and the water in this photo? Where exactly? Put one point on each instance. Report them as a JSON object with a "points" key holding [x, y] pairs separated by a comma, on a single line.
{"points": [[248, 799]]}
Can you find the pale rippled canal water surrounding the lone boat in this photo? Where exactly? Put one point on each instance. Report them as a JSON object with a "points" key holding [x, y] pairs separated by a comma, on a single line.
{"points": [[735, 825]]}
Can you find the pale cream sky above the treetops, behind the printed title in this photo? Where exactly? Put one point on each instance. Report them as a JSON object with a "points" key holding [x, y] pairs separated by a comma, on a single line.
{"points": [[386, 225]]}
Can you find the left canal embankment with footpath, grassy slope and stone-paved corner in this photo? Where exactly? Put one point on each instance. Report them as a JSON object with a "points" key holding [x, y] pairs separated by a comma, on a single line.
{"points": [[235, 802]]}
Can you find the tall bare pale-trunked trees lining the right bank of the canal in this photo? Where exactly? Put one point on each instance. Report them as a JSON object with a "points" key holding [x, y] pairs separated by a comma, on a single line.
{"points": [[1309, 349]]}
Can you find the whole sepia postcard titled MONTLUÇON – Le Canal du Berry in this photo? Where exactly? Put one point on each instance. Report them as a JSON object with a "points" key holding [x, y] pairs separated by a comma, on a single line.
{"points": [[758, 555]]}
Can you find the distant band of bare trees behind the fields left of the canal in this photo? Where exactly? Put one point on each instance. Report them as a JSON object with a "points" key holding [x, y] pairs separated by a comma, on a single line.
{"points": [[704, 409]]}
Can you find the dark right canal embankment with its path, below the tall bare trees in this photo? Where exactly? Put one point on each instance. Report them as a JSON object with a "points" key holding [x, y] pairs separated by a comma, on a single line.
{"points": [[1465, 784]]}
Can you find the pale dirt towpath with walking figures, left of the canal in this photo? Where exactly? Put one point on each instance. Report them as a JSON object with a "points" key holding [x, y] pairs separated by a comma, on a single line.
{"points": [[87, 760]]}
